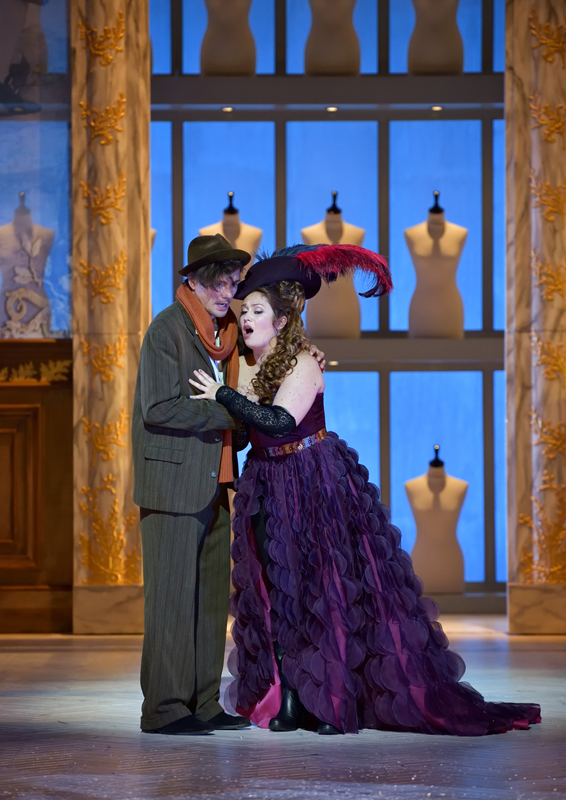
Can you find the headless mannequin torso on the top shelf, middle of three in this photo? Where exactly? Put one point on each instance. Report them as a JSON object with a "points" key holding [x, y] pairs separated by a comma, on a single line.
{"points": [[332, 47]]}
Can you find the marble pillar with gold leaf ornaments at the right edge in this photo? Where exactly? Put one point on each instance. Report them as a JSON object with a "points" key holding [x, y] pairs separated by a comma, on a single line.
{"points": [[536, 313]]}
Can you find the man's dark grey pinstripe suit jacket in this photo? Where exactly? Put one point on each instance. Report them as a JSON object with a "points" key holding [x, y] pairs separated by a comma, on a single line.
{"points": [[177, 442]]}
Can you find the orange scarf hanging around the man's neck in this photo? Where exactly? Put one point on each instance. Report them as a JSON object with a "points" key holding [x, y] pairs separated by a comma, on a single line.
{"points": [[227, 352]]}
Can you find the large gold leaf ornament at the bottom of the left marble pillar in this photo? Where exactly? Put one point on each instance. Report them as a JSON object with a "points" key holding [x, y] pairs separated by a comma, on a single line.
{"points": [[103, 554]]}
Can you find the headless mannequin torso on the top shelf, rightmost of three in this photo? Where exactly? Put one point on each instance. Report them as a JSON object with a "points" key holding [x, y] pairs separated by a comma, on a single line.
{"points": [[436, 46]]}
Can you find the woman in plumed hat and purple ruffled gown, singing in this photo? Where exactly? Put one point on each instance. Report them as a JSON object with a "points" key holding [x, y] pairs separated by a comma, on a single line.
{"points": [[330, 628]]}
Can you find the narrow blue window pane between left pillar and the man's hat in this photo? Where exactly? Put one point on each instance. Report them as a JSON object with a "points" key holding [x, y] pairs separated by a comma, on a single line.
{"points": [[161, 217]]}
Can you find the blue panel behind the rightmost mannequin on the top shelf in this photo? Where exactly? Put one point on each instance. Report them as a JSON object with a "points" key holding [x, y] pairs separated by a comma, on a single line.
{"points": [[402, 23]]}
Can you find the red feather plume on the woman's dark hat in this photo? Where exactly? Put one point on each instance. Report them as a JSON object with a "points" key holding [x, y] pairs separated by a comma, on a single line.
{"points": [[331, 260]]}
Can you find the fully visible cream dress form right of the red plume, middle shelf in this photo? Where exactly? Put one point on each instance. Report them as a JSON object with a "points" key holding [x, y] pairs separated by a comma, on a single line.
{"points": [[436, 246]]}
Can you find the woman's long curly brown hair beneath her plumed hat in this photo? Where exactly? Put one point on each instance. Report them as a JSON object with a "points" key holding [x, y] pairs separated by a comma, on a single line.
{"points": [[287, 299]]}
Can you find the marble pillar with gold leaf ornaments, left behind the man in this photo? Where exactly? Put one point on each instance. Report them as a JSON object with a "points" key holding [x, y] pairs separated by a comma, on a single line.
{"points": [[111, 303]]}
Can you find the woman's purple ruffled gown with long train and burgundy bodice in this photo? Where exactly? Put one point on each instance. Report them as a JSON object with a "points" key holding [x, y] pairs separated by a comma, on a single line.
{"points": [[362, 646]]}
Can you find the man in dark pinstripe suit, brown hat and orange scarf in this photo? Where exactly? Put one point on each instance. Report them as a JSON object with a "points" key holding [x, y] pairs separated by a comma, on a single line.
{"points": [[183, 464]]}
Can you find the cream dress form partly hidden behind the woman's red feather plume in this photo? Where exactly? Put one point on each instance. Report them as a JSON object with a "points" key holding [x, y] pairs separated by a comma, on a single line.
{"points": [[335, 311]]}
